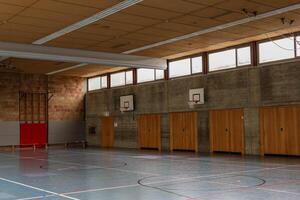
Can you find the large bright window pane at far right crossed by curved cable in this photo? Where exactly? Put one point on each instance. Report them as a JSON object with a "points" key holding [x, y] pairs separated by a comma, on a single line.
{"points": [[276, 50]]}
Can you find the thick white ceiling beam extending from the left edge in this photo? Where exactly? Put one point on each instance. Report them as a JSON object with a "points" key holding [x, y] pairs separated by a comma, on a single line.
{"points": [[37, 52]]}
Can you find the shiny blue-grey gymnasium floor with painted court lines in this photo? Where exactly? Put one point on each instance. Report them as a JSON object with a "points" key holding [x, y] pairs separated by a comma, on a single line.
{"points": [[145, 175]]}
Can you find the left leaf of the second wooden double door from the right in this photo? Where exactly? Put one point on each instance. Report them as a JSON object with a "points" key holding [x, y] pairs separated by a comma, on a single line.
{"points": [[219, 130]]}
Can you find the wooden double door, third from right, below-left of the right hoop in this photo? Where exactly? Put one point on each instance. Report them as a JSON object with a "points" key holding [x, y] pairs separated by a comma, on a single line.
{"points": [[183, 131]]}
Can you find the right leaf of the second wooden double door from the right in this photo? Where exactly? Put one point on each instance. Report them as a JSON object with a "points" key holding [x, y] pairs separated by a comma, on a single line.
{"points": [[236, 130]]}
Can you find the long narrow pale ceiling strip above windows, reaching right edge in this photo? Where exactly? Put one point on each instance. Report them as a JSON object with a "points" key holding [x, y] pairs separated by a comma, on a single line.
{"points": [[218, 28]]}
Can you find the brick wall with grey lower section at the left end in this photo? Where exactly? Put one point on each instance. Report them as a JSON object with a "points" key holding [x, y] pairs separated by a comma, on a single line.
{"points": [[66, 107]]}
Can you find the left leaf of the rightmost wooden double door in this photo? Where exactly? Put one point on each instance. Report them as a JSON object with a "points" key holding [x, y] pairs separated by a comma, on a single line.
{"points": [[272, 126]]}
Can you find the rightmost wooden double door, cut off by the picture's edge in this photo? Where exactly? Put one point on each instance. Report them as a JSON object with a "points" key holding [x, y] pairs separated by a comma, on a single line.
{"points": [[280, 130]]}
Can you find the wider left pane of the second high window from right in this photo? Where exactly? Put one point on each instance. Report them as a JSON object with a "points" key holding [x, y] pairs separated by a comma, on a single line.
{"points": [[222, 60]]}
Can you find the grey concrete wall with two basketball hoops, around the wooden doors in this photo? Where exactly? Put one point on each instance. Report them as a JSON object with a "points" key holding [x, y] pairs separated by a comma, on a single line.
{"points": [[247, 88]]}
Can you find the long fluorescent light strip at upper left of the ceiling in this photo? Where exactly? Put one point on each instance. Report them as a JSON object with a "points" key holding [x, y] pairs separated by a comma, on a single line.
{"points": [[114, 9]]}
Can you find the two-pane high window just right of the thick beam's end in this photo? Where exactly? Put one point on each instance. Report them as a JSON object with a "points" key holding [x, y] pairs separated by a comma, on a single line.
{"points": [[185, 67]]}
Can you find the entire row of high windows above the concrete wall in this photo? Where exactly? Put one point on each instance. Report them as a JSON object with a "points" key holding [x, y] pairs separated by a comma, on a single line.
{"points": [[268, 51]]}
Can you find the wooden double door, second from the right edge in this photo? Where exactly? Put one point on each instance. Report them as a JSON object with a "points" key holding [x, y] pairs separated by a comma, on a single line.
{"points": [[226, 130]]}
